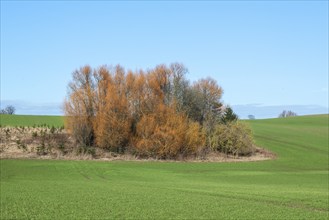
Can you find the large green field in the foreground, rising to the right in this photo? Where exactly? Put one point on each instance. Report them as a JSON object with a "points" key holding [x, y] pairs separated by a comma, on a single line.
{"points": [[293, 186]]}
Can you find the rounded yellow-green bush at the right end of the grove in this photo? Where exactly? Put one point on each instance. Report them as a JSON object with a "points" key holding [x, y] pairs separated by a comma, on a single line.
{"points": [[232, 138]]}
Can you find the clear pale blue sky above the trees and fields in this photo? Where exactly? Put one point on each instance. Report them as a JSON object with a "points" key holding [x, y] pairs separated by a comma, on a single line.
{"points": [[262, 53]]}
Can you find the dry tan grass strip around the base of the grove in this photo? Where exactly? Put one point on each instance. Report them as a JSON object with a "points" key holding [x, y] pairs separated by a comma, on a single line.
{"points": [[44, 143]]}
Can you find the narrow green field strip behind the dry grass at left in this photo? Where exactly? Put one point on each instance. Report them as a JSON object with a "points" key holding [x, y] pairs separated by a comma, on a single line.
{"points": [[31, 120]]}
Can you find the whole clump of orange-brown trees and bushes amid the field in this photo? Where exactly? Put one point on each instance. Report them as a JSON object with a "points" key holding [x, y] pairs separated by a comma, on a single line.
{"points": [[154, 113]]}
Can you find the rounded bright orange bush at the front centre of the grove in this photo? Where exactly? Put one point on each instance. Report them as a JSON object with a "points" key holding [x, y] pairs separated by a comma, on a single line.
{"points": [[167, 135]]}
